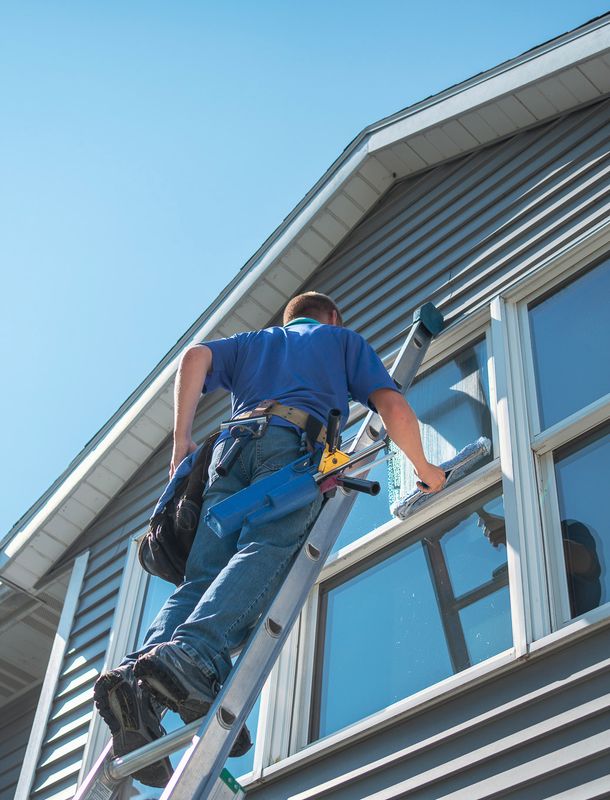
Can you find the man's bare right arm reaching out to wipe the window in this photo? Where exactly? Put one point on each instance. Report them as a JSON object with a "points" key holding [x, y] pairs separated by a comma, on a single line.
{"points": [[403, 429]]}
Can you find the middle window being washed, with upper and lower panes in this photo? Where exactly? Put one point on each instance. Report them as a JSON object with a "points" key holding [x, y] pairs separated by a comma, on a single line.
{"points": [[436, 600]]}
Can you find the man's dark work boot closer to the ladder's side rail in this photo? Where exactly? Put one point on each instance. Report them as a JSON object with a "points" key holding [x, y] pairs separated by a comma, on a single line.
{"points": [[176, 681]]}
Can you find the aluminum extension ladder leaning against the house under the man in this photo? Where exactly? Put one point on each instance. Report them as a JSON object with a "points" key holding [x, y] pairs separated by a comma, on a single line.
{"points": [[201, 774]]}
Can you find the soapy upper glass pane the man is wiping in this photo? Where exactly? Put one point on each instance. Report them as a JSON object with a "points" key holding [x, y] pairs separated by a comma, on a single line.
{"points": [[452, 404]]}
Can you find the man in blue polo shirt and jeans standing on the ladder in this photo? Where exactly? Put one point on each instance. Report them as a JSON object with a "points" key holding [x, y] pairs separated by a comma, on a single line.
{"points": [[309, 366]]}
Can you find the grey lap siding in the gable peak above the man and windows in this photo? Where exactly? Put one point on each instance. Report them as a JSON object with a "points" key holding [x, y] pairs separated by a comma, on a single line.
{"points": [[458, 233]]}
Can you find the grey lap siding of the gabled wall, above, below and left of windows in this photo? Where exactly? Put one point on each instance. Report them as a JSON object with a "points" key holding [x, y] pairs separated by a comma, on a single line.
{"points": [[456, 235]]}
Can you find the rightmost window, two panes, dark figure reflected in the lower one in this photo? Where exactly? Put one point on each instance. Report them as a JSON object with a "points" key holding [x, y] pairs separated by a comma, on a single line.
{"points": [[568, 330]]}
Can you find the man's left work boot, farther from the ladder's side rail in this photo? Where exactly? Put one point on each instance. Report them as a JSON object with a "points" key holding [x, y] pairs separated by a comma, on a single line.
{"points": [[134, 719]]}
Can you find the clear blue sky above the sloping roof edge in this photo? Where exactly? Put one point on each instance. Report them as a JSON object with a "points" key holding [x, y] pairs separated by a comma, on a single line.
{"points": [[148, 148]]}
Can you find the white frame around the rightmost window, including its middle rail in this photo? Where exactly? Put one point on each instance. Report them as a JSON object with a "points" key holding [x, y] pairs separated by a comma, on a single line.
{"points": [[545, 568]]}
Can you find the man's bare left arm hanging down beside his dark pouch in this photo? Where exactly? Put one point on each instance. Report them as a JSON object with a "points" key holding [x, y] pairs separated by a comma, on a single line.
{"points": [[192, 372]]}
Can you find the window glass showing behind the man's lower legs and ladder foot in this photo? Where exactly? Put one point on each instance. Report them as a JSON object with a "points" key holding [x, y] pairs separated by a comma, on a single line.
{"points": [[156, 593]]}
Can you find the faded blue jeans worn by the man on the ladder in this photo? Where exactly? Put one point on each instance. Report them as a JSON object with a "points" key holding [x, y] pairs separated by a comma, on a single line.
{"points": [[229, 582]]}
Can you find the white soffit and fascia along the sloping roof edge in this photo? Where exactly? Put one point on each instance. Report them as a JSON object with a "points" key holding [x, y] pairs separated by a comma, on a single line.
{"points": [[559, 76]]}
